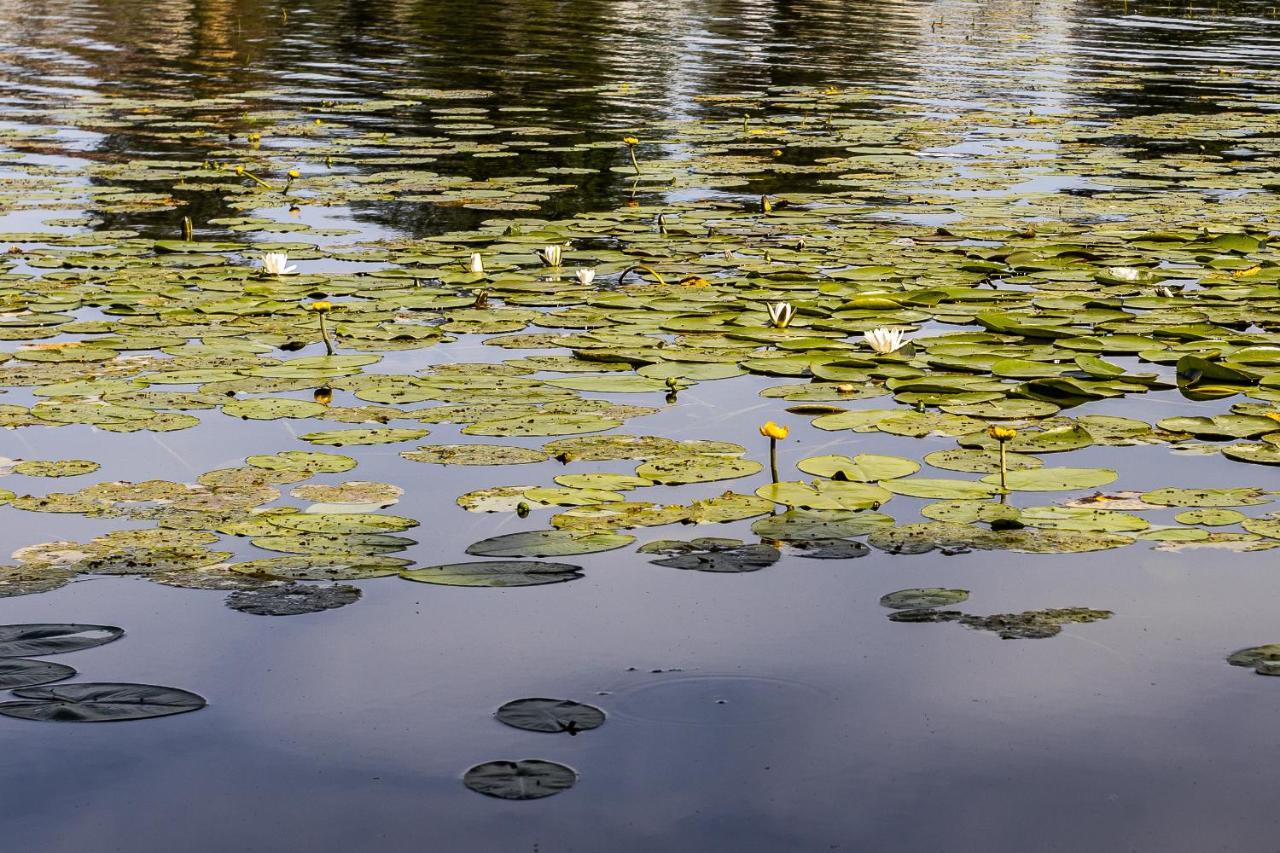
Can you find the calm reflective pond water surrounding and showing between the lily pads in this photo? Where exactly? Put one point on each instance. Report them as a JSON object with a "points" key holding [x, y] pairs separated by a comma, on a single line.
{"points": [[769, 711]]}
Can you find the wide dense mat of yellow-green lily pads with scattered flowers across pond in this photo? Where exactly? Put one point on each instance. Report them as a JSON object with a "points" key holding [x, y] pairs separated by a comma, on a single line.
{"points": [[834, 300]]}
